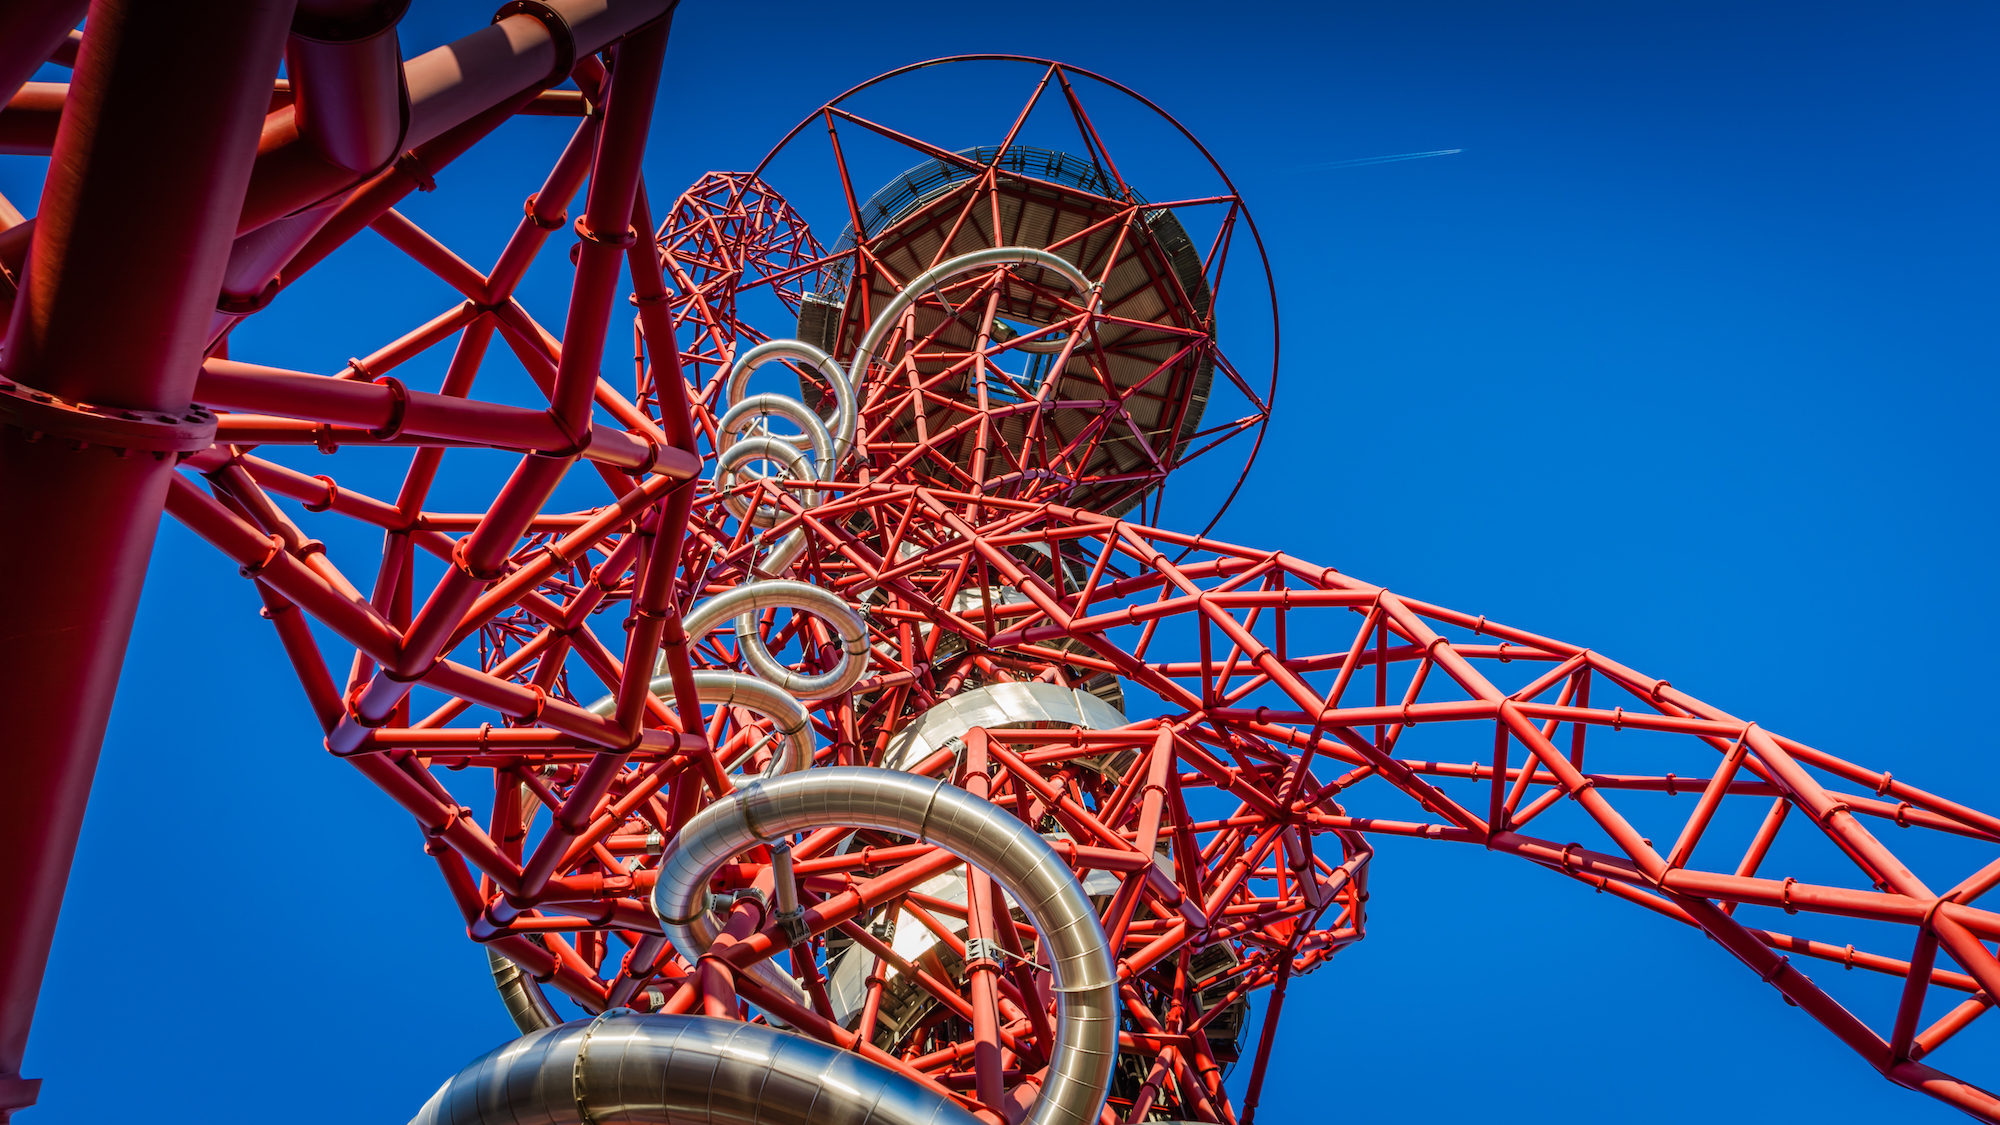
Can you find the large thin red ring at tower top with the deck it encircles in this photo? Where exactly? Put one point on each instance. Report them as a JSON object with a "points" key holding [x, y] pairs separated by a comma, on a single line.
{"points": [[1013, 383]]}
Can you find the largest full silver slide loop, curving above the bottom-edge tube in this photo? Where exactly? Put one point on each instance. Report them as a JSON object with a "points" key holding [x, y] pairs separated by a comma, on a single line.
{"points": [[973, 830]]}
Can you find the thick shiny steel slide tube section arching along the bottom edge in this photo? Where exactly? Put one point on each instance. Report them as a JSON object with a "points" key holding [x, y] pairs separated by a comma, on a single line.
{"points": [[683, 1070]]}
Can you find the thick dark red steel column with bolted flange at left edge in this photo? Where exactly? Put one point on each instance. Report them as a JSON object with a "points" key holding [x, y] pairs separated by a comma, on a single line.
{"points": [[143, 135]]}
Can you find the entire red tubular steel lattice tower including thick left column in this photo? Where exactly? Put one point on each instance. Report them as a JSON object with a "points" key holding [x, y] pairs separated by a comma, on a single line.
{"points": [[1031, 345]]}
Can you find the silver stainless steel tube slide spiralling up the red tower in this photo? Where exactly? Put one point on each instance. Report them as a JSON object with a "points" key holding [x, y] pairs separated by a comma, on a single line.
{"points": [[629, 1068]]}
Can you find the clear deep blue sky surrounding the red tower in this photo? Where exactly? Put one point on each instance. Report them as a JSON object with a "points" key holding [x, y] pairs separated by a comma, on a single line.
{"points": [[1689, 357]]}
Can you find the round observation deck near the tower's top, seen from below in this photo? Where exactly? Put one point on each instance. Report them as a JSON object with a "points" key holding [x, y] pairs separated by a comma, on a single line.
{"points": [[1121, 411]]}
